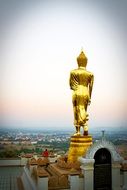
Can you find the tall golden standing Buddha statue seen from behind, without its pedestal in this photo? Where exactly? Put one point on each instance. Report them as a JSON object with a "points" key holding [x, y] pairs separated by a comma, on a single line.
{"points": [[81, 82]]}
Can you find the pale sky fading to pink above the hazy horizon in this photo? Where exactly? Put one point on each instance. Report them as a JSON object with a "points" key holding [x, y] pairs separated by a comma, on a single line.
{"points": [[39, 43]]}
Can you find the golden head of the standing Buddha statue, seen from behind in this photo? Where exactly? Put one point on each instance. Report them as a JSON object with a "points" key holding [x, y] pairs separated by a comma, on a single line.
{"points": [[82, 60]]}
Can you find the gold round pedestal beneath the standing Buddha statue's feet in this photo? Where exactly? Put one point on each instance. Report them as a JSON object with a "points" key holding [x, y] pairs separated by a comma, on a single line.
{"points": [[78, 147]]}
